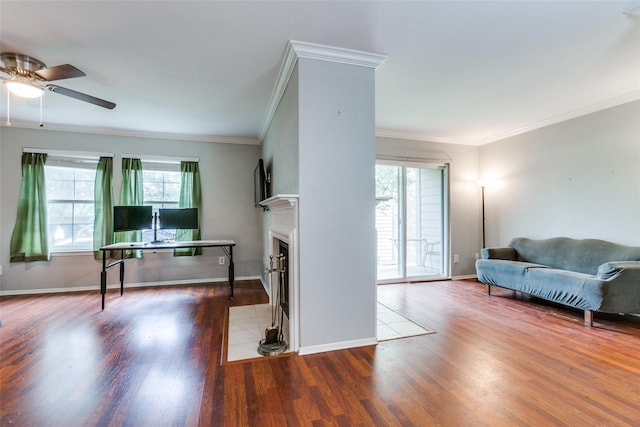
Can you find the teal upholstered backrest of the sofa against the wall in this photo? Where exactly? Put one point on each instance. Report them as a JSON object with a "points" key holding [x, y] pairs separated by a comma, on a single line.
{"points": [[583, 256]]}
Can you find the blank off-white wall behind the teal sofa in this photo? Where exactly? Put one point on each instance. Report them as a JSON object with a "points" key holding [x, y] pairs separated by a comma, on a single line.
{"points": [[579, 178]]}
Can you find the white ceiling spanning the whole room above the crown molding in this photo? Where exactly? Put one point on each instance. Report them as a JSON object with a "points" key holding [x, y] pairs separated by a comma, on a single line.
{"points": [[467, 72]]}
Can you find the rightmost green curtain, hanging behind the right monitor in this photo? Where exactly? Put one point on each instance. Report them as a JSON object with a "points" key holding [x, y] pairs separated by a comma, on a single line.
{"points": [[190, 197]]}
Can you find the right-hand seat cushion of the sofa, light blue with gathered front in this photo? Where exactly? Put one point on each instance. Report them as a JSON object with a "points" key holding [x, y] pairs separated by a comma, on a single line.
{"points": [[579, 290]]}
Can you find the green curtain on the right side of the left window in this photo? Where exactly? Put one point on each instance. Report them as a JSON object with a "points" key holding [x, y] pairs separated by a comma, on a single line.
{"points": [[103, 206]]}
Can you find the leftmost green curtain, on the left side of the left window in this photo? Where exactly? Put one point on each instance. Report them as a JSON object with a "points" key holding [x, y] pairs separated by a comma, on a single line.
{"points": [[30, 239]]}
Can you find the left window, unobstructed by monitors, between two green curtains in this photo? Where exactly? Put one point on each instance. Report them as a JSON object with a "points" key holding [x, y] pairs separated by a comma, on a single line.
{"points": [[70, 209]]}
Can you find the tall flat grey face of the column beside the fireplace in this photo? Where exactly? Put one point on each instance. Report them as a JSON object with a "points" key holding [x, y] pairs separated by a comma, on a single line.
{"points": [[337, 201]]}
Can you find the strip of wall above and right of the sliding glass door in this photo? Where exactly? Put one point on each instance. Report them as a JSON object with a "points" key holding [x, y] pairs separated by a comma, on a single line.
{"points": [[465, 215]]}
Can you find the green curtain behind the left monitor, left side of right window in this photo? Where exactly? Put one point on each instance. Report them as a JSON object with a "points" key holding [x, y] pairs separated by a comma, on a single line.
{"points": [[131, 195]]}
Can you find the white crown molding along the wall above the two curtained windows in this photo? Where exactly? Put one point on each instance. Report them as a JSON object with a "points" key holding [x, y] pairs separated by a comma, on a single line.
{"points": [[137, 134]]}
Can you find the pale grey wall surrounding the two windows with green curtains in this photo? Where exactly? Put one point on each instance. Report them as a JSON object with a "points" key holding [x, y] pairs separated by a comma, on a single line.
{"points": [[228, 211]]}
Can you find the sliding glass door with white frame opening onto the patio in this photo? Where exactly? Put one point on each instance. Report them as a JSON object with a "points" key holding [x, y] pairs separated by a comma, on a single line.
{"points": [[410, 222]]}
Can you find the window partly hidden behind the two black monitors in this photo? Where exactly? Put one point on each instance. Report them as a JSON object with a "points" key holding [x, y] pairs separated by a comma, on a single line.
{"points": [[161, 189]]}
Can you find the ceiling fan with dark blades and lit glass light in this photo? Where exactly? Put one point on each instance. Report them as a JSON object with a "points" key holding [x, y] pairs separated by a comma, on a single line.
{"points": [[28, 77]]}
